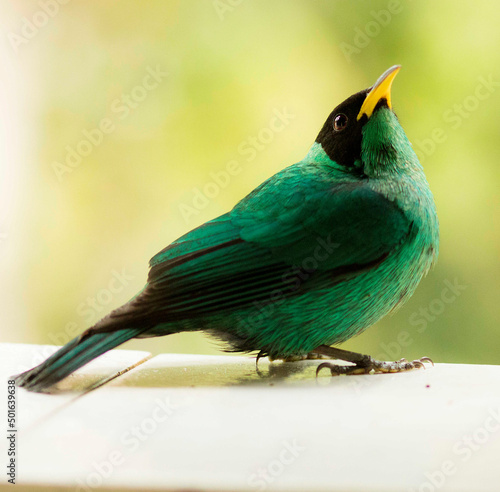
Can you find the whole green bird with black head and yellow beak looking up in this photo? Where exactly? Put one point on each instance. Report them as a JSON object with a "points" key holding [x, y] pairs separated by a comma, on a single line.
{"points": [[310, 258]]}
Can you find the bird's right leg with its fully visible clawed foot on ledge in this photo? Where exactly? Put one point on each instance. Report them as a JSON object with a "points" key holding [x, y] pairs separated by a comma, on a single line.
{"points": [[363, 364]]}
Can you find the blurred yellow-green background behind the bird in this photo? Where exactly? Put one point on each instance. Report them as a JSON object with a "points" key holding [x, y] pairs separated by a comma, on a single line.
{"points": [[75, 241]]}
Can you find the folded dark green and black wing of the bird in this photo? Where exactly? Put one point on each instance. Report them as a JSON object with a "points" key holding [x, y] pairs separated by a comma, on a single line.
{"points": [[290, 224]]}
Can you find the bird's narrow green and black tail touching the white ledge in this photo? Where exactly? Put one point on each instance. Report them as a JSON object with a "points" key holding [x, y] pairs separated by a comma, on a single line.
{"points": [[72, 356]]}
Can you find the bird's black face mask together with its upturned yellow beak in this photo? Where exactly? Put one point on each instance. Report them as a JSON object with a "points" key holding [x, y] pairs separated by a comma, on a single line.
{"points": [[342, 133]]}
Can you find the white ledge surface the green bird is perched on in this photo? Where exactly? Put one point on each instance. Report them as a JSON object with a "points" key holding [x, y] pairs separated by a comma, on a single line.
{"points": [[190, 422]]}
